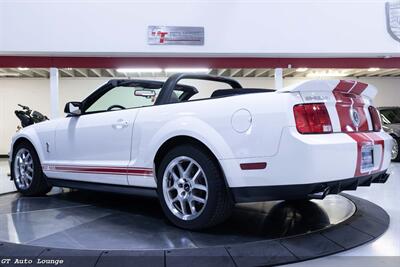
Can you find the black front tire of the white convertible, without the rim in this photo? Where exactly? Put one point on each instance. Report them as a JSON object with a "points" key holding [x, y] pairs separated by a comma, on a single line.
{"points": [[39, 185]]}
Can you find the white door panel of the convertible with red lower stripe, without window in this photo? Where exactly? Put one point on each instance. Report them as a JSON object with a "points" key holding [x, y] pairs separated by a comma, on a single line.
{"points": [[95, 147]]}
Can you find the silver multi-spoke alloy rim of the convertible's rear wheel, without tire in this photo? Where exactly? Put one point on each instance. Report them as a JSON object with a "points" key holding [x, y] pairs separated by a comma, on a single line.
{"points": [[185, 188]]}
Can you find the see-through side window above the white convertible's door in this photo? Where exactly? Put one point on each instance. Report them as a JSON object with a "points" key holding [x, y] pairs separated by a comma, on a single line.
{"points": [[122, 96]]}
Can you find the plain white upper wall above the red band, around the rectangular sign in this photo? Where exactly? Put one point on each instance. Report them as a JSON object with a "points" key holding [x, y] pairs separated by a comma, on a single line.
{"points": [[237, 27]]}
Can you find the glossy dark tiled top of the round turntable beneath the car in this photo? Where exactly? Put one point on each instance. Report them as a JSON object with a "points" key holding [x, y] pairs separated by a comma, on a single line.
{"points": [[82, 219]]}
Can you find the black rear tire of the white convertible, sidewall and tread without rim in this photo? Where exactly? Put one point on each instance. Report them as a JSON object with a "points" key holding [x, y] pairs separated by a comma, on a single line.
{"points": [[219, 204]]}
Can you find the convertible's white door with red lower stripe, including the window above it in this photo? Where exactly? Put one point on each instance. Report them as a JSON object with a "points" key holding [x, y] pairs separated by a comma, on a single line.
{"points": [[96, 146]]}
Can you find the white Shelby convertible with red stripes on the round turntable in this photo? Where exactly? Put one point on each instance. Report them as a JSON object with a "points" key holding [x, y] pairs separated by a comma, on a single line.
{"points": [[200, 156]]}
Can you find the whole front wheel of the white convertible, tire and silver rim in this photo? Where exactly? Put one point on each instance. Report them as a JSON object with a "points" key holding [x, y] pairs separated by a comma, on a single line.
{"points": [[27, 173]]}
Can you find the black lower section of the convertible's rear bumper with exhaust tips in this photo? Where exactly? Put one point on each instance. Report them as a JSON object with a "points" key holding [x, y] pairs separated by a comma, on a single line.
{"points": [[304, 191]]}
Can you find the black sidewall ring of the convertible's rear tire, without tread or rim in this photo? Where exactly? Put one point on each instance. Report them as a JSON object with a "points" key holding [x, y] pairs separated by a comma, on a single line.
{"points": [[214, 183]]}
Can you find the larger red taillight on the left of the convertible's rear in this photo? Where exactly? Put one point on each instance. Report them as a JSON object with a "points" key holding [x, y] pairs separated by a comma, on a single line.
{"points": [[312, 118]]}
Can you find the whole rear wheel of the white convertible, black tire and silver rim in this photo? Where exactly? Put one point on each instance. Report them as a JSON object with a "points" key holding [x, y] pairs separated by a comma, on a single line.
{"points": [[192, 189]]}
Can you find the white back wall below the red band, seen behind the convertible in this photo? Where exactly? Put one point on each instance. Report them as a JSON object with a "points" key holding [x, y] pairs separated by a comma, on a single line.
{"points": [[36, 94]]}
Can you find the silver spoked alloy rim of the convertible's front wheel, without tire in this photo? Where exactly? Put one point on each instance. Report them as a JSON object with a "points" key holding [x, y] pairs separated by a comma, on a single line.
{"points": [[23, 168]]}
